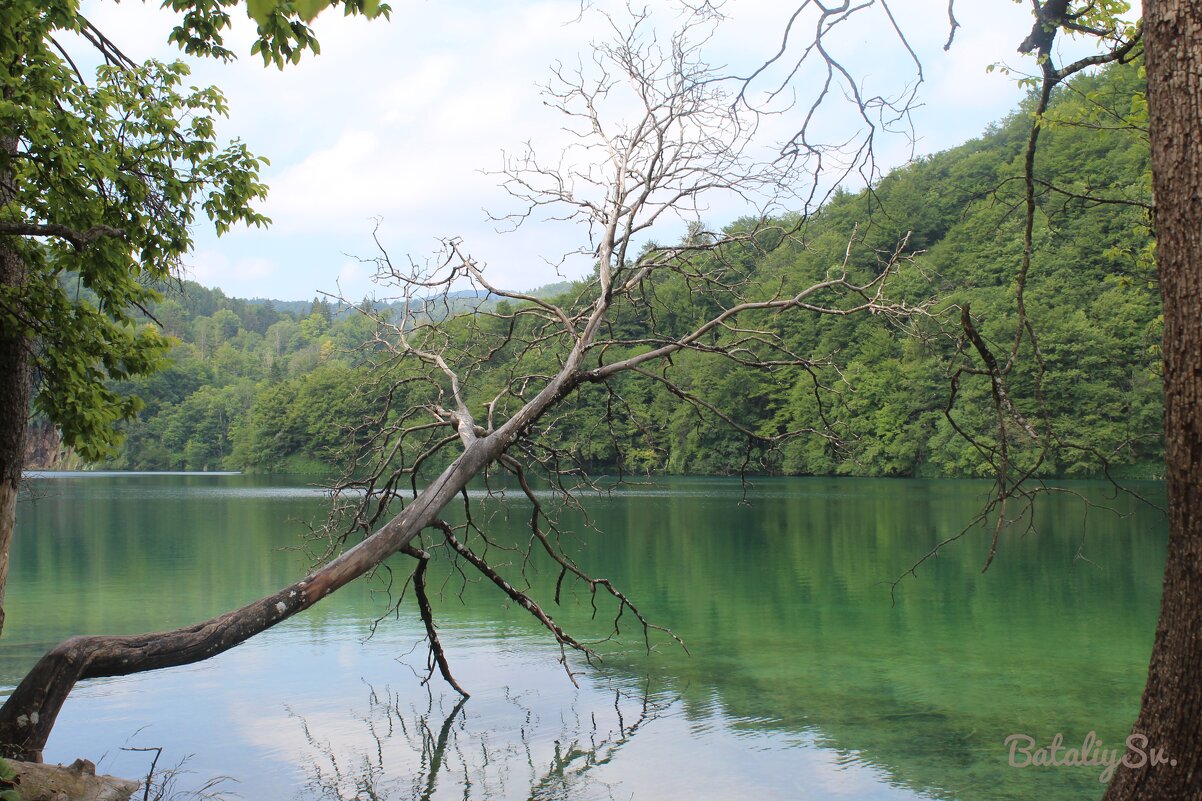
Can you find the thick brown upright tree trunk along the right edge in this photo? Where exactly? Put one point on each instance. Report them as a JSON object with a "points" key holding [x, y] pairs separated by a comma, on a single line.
{"points": [[1171, 714]]}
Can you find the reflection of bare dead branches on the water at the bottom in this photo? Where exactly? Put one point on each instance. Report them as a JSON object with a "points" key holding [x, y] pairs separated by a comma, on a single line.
{"points": [[450, 751]]}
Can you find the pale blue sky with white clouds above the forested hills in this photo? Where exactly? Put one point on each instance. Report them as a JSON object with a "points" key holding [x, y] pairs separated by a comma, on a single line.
{"points": [[398, 127]]}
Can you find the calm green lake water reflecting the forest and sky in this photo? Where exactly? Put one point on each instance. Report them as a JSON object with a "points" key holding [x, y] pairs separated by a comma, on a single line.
{"points": [[805, 680]]}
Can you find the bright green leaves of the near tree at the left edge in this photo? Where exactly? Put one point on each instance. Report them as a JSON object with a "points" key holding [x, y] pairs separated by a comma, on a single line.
{"points": [[114, 170]]}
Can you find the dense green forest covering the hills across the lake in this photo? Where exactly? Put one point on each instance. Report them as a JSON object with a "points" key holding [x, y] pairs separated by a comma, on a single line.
{"points": [[255, 385]]}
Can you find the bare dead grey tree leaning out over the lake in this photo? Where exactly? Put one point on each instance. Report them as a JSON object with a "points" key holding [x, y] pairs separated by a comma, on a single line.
{"points": [[676, 141]]}
